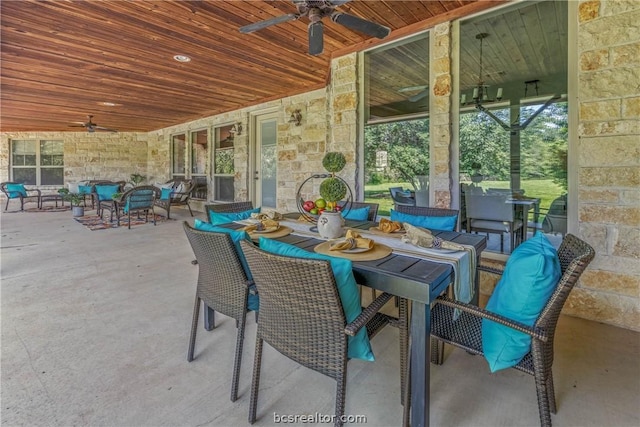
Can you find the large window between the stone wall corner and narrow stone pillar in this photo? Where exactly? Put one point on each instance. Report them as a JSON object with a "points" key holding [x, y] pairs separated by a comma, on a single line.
{"points": [[396, 135]]}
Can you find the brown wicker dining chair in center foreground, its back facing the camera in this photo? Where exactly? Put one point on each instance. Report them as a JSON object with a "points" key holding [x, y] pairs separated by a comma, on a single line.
{"points": [[301, 316]]}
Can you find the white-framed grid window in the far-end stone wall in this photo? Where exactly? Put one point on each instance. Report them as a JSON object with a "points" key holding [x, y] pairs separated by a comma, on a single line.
{"points": [[37, 162]]}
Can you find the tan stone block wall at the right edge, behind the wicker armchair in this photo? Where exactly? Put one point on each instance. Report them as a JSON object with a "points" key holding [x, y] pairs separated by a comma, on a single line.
{"points": [[609, 161]]}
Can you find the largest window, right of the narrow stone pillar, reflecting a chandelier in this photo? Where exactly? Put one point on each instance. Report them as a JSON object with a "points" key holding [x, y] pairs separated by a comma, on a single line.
{"points": [[514, 137]]}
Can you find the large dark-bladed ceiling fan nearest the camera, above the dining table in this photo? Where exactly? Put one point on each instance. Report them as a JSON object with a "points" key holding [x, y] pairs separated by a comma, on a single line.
{"points": [[315, 10]]}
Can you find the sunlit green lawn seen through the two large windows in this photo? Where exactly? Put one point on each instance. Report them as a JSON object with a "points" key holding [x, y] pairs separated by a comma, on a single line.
{"points": [[544, 189]]}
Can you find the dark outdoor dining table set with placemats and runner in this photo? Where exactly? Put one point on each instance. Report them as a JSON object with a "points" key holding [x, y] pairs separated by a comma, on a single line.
{"points": [[416, 278]]}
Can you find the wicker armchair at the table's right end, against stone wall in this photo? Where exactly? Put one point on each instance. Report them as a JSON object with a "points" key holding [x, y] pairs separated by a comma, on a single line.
{"points": [[466, 331]]}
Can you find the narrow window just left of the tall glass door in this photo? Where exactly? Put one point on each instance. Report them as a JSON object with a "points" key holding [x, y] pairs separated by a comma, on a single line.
{"points": [[223, 169]]}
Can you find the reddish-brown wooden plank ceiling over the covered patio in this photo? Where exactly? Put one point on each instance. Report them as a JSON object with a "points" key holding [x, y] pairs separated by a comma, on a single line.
{"points": [[62, 60]]}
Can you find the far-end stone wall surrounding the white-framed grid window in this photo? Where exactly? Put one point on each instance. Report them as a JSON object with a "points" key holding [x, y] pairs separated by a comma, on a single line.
{"points": [[111, 156]]}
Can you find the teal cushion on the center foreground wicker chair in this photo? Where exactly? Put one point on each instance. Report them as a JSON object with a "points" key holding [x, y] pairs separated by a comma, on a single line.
{"points": [[359, 346]]}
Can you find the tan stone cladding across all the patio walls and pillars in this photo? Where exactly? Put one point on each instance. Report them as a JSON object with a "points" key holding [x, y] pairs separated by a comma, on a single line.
{"points": [[607, 155]]}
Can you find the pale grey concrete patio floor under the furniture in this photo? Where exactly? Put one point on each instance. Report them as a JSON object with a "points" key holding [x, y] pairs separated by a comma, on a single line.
{"points": [[95, 329]]}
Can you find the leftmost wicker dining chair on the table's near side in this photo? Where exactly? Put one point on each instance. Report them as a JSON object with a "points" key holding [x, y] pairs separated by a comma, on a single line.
{"points": [[222, 286]]}
